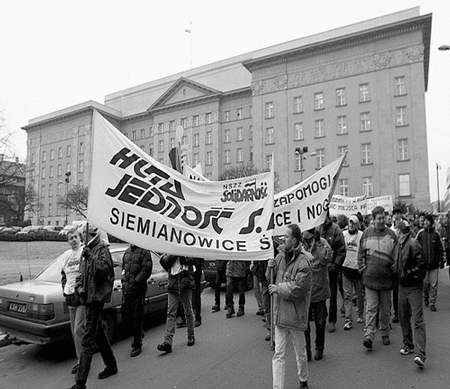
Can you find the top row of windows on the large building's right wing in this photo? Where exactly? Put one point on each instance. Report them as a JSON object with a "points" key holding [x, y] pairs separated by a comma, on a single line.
{"points": [[341, 98]]}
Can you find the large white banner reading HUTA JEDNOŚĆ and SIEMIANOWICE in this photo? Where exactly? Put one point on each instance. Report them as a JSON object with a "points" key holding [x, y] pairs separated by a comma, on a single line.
{"points": [[141, 201]]}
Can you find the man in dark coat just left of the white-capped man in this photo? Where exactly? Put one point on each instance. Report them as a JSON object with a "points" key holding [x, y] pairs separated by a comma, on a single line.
{"points": [[333, 235]]}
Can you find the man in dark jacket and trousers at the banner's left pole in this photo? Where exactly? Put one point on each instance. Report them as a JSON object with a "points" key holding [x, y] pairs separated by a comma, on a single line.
{"points": [[95, 288]]}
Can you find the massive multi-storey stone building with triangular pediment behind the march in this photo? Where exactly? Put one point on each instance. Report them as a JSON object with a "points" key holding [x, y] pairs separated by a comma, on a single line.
{"points": [[359, 88]]}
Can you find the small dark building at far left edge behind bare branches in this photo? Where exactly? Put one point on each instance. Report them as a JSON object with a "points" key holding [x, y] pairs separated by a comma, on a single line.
{"points": [[12, 191]]}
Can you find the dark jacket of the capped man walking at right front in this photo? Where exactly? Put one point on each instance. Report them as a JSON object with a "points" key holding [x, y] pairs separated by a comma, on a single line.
{"points": [[410, 263]]}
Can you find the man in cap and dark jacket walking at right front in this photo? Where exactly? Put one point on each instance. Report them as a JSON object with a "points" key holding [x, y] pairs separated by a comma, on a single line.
{"points": [[411, 269]]}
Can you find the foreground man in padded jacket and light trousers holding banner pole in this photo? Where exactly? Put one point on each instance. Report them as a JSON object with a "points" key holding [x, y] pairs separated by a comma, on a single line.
{"points": [[292, 290]]}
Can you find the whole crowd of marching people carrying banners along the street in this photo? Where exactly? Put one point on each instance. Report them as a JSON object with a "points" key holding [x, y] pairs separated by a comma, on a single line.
{"points": [[385, 269]]}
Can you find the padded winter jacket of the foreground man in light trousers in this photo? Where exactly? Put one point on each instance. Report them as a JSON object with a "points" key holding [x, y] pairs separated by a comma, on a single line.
{"points": [[293, 278]]}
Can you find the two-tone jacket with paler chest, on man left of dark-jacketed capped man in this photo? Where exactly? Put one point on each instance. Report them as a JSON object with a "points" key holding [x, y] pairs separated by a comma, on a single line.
{"points": [[376, 257]]}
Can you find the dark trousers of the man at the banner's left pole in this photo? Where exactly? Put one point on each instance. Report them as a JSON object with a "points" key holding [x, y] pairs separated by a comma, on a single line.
{"points": [[93, 336]]}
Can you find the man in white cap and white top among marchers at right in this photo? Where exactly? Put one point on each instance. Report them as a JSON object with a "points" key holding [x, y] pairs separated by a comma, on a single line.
{"points": [[351, 277]]}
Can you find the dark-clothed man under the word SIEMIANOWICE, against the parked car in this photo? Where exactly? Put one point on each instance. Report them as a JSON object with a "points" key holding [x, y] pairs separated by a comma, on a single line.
{"points": [[136, 270]]}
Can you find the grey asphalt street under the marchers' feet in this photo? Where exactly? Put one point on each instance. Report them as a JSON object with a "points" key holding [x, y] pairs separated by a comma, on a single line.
{"points": [[233, 354]]}
